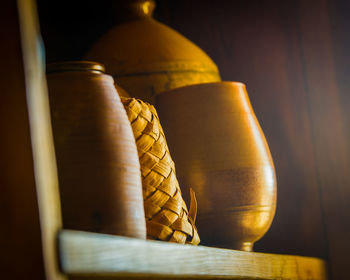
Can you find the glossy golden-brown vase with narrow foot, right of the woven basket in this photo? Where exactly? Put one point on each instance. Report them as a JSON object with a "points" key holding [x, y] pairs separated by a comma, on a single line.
{"points": [[220, 151]]}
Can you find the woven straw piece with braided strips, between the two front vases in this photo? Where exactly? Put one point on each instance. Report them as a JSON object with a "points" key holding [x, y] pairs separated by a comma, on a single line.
{"points": [[167, 217]]}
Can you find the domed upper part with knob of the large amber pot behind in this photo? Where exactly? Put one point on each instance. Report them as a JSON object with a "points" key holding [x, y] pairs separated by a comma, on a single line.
{"points": [[142, 44]]}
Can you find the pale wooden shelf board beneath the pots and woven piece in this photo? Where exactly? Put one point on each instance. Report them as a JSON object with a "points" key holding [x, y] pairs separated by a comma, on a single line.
{"points": [[91, 254]]}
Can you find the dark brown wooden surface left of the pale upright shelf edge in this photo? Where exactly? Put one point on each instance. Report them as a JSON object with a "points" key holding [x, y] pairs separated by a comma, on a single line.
{"points": [[18, 205]]}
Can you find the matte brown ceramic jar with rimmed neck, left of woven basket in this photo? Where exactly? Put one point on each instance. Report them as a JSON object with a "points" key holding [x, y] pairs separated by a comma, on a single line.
{"points": [[98, 166]]}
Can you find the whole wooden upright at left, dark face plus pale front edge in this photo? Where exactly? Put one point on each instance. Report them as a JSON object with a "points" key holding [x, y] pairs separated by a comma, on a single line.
{"points": [[27, 176]]}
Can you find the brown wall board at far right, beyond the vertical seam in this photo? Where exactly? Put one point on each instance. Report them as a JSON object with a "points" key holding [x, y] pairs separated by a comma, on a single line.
{"points": [[330, 120]]}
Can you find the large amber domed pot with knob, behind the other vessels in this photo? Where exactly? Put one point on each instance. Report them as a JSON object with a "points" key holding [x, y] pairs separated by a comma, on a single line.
{"points": [[146, 57]]}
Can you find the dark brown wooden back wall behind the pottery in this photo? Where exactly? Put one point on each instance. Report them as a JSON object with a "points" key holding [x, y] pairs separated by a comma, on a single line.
{"points": [[294, 58]]}
